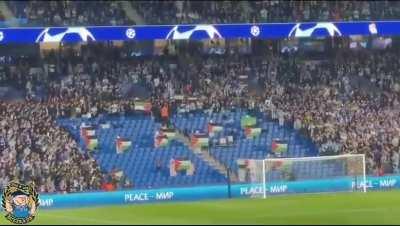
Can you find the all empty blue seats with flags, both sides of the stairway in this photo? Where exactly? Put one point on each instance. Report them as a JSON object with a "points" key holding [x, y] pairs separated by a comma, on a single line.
{"points": [[139, 162]]}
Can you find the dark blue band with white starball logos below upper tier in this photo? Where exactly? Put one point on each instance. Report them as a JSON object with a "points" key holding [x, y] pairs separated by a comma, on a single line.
{"points": [[197, 32]]}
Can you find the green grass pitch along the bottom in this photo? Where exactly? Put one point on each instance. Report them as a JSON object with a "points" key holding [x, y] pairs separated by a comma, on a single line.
{"points": [[344, 208]]}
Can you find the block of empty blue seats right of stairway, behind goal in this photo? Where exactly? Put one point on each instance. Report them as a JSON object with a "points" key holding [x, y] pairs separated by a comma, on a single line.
{"points": [[244, 148]]}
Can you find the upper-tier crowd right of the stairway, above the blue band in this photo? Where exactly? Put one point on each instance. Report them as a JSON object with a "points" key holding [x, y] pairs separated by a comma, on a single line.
{"points": [[155, 12]]}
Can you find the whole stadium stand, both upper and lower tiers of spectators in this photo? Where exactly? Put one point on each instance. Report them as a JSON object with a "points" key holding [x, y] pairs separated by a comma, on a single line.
{"points": [[341, 101]]}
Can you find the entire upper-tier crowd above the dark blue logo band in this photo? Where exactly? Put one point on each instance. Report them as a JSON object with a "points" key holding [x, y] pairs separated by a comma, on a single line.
{"points": [[72, 13]]}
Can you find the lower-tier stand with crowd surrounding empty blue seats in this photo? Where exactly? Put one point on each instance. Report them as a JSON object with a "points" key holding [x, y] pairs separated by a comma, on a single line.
{"points": [[324, 103]]}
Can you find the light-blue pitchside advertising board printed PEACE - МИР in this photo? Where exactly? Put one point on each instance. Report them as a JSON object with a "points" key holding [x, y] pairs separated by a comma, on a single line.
{"points": [[209, 192]]}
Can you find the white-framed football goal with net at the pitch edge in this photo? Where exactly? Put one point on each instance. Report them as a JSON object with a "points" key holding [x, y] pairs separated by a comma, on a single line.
{"points": [[338, 173]]}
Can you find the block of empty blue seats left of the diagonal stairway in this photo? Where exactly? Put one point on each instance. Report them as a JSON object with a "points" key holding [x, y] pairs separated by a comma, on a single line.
{"points": [[139, 162]]}
